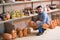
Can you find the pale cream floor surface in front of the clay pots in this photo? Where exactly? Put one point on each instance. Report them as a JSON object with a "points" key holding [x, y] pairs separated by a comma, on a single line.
{"points": [[49, 34]]}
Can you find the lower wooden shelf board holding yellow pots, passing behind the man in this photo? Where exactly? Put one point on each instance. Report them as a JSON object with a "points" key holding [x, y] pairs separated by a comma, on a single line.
{"points": [[55, 10]]}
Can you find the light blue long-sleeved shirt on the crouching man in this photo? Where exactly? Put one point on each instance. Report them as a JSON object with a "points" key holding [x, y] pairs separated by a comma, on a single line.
{"points": [[44, 16]]}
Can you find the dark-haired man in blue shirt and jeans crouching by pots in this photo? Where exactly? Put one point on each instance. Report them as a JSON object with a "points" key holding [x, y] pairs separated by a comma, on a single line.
{"points": [[42, 18]]}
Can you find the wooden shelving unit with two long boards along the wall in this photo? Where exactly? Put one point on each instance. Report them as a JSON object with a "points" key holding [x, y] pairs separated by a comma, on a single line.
{"points": [[25, 2]]}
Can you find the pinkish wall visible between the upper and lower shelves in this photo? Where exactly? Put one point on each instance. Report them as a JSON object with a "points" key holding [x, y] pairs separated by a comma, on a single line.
{"points": [[23, 5]]}
